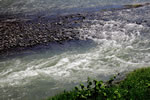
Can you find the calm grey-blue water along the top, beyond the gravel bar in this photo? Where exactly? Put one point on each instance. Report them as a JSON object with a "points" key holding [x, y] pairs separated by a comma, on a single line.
{"points": [[57, 6]]}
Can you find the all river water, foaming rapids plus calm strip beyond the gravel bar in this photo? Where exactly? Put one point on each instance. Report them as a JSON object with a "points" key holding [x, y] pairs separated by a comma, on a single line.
{"points": [[115, 43]]}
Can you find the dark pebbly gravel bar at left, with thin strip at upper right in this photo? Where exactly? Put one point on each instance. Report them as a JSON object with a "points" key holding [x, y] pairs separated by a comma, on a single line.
{"points": [[27, 31]]}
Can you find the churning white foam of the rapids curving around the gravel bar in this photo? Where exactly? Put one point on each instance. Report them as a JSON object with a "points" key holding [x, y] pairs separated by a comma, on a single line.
{"points": [[117, 49]]}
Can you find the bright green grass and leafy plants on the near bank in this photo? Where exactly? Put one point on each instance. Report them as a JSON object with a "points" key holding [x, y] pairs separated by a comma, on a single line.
{"points": [[136, 86]]}
